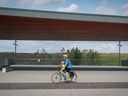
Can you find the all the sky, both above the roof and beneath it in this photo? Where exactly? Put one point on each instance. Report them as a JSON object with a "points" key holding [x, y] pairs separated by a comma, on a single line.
{"points": [[107, 7]]}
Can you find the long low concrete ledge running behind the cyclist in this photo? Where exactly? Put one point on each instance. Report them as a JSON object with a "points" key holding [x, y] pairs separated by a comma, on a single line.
{"points": [[84, 68]]}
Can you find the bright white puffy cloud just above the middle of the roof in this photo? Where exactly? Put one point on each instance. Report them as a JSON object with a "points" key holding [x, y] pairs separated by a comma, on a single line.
{"points": [[71, 8]]}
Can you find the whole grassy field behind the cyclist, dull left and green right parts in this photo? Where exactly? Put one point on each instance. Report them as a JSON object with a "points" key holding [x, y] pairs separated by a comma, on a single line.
{"points": [[104, 59]]}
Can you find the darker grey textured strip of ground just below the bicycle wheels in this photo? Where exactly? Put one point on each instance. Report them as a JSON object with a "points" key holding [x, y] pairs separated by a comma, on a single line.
{"points": [[63, 85]]}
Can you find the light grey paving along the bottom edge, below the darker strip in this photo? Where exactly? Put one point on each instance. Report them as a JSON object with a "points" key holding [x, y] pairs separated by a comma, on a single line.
{"points": [[66, 92]]}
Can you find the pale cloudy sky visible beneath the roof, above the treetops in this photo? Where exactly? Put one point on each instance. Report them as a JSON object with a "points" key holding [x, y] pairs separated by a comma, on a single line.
{"points": [[56, 46]]}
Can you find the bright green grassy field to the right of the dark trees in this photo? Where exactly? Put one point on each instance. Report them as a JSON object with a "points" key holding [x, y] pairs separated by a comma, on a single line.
{"points": [[110, 59]]}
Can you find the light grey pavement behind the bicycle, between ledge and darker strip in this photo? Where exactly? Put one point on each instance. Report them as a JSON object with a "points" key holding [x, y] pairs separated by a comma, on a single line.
{"points": [[45, 76]]}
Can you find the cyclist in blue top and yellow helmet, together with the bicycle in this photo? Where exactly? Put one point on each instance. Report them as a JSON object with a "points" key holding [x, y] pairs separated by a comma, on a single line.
{"points": [[63, 69]]}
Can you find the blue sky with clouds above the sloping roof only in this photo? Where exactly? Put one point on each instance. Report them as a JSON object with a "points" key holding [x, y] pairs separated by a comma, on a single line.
{"points": [[110, 7]]}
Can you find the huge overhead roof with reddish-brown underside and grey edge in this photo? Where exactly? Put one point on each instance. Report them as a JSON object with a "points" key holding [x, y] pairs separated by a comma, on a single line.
{"points": [[22, 24]]}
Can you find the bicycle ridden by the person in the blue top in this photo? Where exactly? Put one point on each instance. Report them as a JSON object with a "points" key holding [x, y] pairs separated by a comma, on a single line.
{"points": [[58, 76]]}
